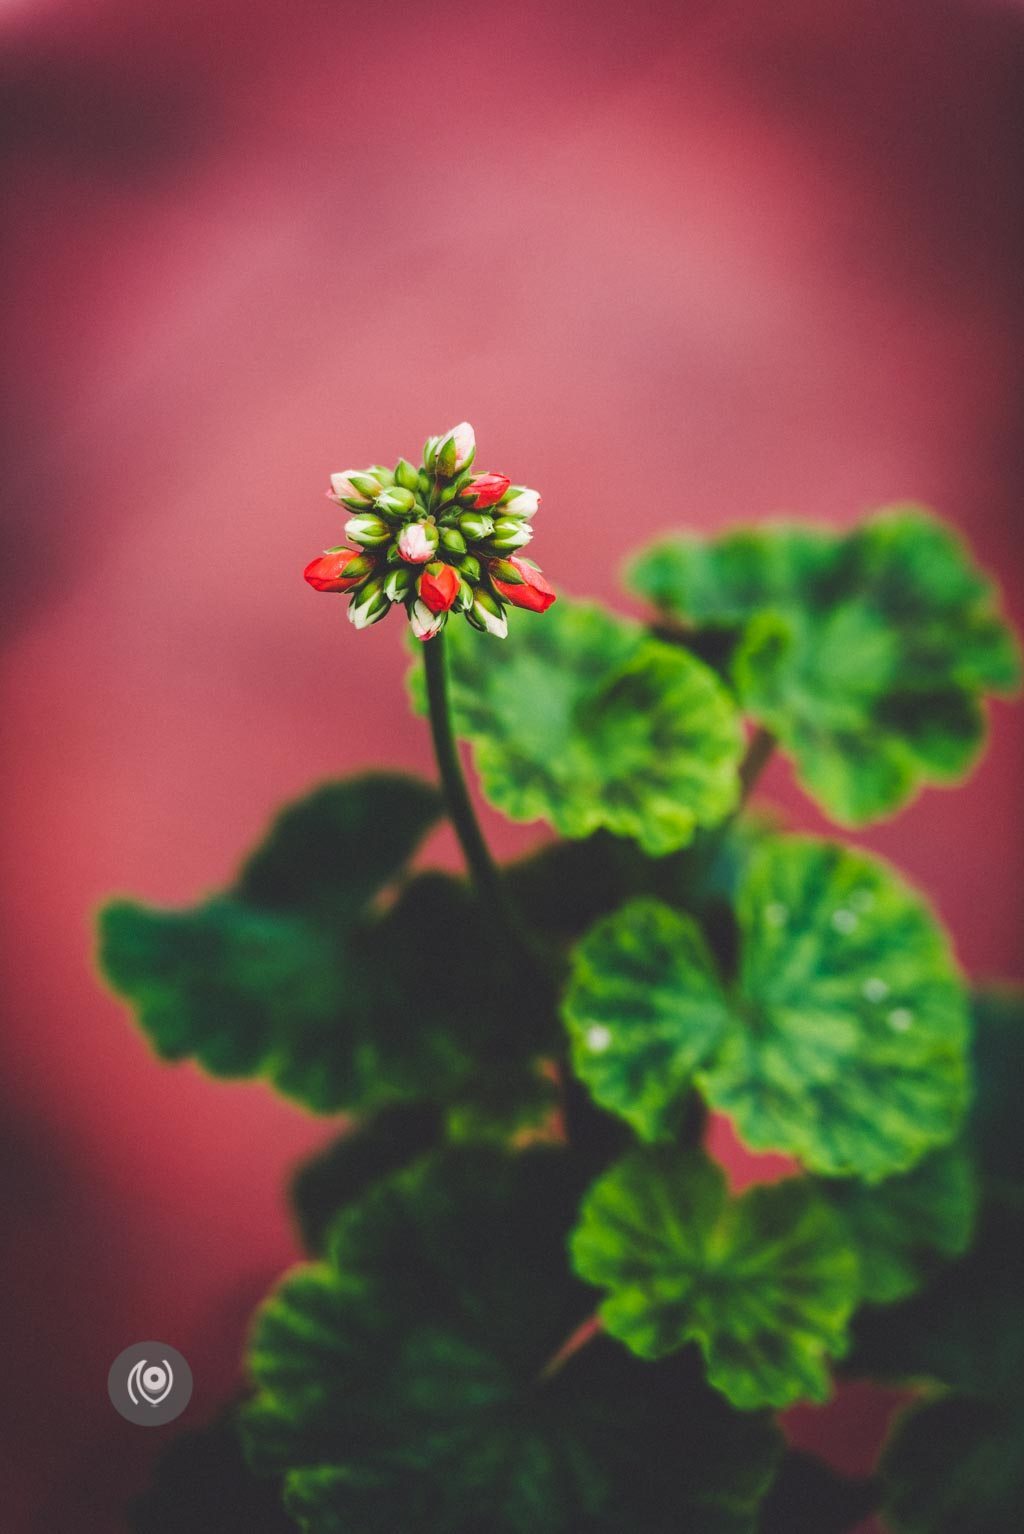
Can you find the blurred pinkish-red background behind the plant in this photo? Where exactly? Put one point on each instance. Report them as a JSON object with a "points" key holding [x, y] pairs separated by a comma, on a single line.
{"points": [[677, 263]]}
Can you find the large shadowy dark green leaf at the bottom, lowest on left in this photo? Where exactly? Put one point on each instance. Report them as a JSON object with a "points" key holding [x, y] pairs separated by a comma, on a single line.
{"points": [[402, 1384]]}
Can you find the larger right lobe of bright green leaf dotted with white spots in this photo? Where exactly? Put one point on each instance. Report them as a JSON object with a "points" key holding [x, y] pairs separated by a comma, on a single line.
{"points": [[852, 1048]]}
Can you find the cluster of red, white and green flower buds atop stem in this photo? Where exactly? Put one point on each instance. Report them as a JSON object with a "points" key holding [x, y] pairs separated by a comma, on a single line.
{"points": [[436, 541]]}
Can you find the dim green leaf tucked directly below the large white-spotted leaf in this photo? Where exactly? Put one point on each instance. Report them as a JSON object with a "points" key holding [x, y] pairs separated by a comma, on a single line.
{"points": [[901, 1226]]}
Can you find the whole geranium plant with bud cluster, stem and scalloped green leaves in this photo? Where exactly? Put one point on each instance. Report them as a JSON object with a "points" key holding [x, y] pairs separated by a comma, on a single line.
{"points": [[533, 1303]]}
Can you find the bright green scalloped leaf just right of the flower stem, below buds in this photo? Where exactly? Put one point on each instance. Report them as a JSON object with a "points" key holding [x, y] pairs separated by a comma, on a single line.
{"points": [[588, 723]]}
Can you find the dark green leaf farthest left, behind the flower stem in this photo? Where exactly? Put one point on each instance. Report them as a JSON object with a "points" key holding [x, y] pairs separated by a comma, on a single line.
{"points": [[303, 973]]}
